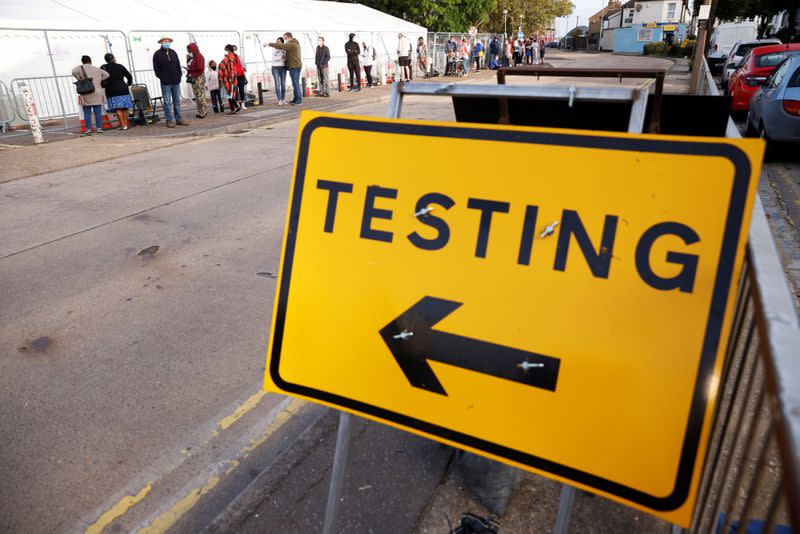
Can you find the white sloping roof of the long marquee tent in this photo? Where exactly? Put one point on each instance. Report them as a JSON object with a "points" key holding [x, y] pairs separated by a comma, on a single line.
{"points": [[197, 15]]}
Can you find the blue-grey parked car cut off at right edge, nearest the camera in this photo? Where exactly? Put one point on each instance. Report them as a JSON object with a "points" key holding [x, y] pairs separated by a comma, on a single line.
{"points": [[775, 107]]}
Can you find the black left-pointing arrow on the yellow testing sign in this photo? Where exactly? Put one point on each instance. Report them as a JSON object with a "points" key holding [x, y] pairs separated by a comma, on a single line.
{"points": [[413, 342]]}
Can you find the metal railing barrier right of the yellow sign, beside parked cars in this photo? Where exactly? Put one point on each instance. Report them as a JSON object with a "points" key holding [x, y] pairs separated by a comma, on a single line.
{"points": [[751, 475]]}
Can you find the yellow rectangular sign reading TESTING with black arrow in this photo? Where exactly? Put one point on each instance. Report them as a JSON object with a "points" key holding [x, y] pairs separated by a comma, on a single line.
{"points": [[557, 300]]}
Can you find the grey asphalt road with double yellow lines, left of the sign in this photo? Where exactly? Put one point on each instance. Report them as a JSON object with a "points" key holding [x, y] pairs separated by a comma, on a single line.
{"points": [[130, 374]]}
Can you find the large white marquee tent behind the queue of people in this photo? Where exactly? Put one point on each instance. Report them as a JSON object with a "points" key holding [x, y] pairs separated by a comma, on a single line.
{"points": [[131, 29]]}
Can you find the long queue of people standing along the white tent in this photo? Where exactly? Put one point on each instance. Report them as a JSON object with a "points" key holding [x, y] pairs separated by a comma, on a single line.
{"points": [[226, 80]]}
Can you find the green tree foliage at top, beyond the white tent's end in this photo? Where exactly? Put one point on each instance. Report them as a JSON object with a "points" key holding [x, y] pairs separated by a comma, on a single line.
{"points": [[486, 15]]}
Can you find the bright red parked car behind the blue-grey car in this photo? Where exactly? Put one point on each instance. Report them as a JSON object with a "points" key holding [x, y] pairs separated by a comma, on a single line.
{"points": [[754, 69]]}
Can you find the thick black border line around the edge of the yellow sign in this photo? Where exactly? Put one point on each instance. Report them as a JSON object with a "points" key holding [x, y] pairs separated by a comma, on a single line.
{"points": [[722, 284]]}
